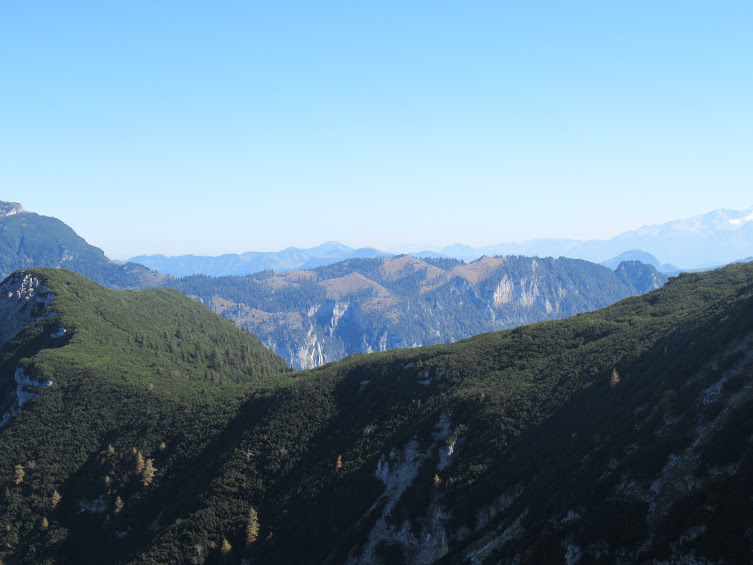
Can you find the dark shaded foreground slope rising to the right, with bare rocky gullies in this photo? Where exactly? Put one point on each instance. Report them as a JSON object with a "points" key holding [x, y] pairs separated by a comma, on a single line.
{"points": [[622, 434]]}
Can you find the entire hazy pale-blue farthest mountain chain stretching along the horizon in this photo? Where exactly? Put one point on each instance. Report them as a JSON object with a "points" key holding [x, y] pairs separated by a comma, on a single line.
{"points": [[710, 240]]}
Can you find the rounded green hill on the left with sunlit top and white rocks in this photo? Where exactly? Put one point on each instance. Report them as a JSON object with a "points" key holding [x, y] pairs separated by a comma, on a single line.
{"points": [[97, 389]]}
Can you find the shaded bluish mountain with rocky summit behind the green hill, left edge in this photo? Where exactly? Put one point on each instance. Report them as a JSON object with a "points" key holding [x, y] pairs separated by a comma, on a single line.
{"points": [[28, 240]]}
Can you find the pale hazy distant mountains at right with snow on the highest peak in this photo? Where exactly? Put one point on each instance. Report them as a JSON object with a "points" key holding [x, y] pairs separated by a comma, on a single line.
{"points": [[719, 237]]}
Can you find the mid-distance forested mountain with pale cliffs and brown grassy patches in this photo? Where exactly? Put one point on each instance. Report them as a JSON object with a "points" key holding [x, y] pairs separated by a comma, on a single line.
{"points": [[362, 305]]}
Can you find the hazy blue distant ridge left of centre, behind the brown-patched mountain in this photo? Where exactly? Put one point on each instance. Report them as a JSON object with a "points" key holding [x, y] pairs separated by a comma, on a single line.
{"points": [[290, 259]]}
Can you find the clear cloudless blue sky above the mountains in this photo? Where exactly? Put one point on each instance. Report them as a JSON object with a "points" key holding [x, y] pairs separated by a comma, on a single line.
{"points": [[178, 127]]}
